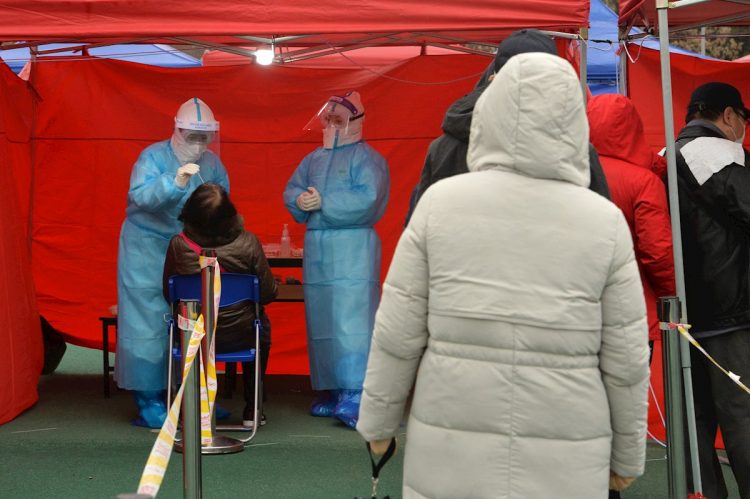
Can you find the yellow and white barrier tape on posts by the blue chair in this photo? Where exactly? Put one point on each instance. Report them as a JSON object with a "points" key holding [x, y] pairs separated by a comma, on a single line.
{"points": [[156, 465]]}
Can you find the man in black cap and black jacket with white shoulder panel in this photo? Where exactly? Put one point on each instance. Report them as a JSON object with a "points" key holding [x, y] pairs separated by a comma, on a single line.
{"points": [[714, 189]]}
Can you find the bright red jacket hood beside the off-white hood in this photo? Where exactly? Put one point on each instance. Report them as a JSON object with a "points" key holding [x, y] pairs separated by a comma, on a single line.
{"points": [[617, 131]]}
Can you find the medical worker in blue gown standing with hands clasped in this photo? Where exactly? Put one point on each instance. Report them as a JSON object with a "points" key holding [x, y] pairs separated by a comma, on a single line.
{"points": [[340, 191]]}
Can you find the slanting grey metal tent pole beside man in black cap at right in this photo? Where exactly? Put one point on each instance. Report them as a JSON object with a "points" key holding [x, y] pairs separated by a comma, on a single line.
{"points": [[677, 461]]}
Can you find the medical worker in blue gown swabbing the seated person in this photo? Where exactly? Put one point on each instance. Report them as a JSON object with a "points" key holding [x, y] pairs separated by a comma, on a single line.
{"points": [[162, 179]]}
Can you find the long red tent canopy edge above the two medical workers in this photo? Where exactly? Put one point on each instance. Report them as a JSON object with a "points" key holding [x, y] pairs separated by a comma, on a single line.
{"points": [[226, 21]]}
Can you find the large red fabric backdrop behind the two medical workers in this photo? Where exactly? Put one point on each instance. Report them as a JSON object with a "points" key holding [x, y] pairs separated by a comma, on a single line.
{"points": [[95, 117]]}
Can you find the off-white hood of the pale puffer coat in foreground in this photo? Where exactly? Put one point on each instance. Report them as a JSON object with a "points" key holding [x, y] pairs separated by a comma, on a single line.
{"points": [[531, 120]]}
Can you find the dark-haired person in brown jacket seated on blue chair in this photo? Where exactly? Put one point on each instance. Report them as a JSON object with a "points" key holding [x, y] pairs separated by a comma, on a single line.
{"points": [[211, 221]]}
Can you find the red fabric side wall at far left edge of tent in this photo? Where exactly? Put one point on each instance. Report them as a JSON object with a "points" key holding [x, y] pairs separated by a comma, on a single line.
{"points": [[20, 335]]}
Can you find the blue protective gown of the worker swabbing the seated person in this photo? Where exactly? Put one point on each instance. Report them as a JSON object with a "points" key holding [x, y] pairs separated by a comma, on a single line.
{"points": [[154, 203]]}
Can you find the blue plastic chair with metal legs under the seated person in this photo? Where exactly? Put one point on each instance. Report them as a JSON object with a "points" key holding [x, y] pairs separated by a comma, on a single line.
{"points": [[235, 288]]}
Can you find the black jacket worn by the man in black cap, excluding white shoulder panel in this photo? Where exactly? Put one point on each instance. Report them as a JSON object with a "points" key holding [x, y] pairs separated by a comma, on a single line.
{"points": [[715, 224]]}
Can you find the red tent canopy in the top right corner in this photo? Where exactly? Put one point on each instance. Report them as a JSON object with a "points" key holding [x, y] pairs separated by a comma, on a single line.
{"points": [[707, 13]]}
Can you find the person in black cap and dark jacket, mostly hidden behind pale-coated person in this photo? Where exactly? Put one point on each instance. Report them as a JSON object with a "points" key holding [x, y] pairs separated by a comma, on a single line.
{"points": [[447, 154]]}
